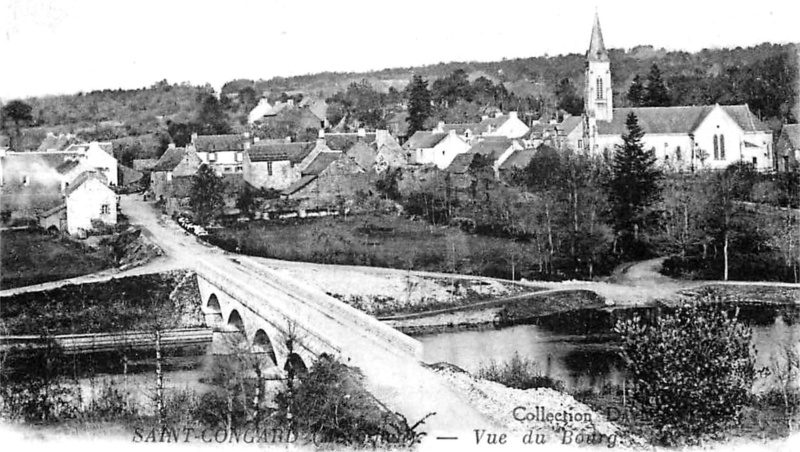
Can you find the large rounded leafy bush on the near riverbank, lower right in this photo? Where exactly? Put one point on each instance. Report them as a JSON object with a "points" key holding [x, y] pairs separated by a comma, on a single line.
{"points": [[692, 370]]}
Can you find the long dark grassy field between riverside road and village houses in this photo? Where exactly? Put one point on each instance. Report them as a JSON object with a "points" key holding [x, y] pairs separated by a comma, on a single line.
{"points": [[381, 241]]}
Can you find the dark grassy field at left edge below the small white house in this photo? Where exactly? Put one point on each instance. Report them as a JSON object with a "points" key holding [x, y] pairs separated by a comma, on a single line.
{"points": [[30, 257]]}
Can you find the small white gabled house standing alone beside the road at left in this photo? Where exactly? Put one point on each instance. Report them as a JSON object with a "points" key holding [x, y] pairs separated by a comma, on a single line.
{"points": [[88, 198]]}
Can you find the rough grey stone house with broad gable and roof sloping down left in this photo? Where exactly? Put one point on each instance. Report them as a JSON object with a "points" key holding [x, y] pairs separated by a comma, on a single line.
{"points": [[329, 179]]}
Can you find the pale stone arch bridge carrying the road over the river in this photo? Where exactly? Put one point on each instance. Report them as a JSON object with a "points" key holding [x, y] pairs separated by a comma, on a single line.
{"points": [[289, 323]]}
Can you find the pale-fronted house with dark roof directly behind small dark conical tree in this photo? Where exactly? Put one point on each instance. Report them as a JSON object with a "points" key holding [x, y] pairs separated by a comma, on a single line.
{"points": [[223, 153]]}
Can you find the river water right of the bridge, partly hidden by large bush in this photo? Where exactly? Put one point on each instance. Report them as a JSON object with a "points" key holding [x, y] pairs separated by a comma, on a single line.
{"points": [[584, 361]]}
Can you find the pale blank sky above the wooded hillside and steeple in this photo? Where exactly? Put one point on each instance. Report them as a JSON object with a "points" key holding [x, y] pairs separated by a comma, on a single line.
{"points": [[65, 46]]}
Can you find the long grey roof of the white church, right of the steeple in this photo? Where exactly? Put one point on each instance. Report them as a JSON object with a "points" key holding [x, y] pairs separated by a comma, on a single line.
{"points": [[669, 120]]}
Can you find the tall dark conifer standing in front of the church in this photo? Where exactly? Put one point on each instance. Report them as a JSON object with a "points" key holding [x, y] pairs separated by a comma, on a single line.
{"points": [[634, 182]]}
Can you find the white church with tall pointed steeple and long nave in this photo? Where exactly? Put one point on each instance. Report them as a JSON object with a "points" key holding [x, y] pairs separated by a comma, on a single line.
{"points": [[682, 138]]}
